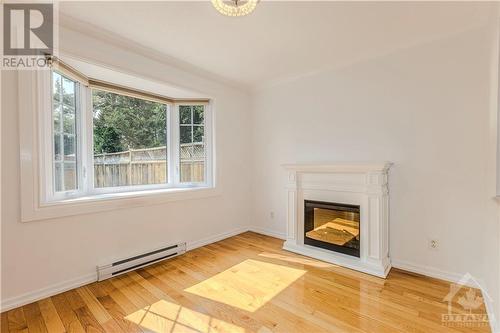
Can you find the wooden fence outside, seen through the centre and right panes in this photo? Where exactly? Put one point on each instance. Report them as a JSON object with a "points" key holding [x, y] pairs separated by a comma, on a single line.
{"points": [[147, 166]]}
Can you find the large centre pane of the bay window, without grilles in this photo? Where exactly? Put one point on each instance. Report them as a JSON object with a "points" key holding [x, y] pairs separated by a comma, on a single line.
{"points": [[130, 139]]}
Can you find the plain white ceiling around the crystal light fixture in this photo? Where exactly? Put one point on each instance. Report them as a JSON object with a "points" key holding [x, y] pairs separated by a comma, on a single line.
{"points": [[280, 39]]}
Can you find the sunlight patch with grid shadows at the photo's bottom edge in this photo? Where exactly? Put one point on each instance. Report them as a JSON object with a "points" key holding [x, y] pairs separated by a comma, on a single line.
{"points": [[164, 316]]}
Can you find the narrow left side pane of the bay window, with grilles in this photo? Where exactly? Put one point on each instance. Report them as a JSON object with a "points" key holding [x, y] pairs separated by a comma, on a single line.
{"points": [[64, 95]]}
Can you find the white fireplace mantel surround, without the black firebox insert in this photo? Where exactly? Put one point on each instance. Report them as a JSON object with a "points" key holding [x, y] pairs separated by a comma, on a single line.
{"points": [[362, 183]]}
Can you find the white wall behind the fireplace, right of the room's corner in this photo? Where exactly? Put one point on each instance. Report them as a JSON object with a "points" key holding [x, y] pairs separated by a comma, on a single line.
{"points": [[427, 109]]}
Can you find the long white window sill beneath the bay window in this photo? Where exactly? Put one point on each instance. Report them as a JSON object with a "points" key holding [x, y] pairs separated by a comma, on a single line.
{"points": [[113, 201]]}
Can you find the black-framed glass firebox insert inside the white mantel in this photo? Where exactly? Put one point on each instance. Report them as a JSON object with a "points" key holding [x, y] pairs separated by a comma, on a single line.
{"points": [[332, 226]]}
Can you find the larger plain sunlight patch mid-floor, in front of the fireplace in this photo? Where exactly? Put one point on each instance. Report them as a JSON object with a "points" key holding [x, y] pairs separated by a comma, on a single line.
{"points": [[247, 285]]}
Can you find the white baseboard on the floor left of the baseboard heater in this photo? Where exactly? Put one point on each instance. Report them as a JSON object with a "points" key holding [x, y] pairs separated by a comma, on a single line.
{"points": [[51, 290]]}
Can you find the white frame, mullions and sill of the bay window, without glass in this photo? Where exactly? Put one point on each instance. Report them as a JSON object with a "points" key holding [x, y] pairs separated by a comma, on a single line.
{"points": [[39, 201]]}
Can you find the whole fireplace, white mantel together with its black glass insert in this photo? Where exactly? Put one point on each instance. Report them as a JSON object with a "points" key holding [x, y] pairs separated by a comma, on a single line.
{"points": [[339, 213]]}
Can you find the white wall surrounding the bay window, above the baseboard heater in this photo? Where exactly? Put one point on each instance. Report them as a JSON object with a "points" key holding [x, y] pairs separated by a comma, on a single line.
{"points": [[38, 255]]}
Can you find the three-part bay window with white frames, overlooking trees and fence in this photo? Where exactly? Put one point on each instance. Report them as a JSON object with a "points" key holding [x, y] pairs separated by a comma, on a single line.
{"points": [[105, 138]]}
